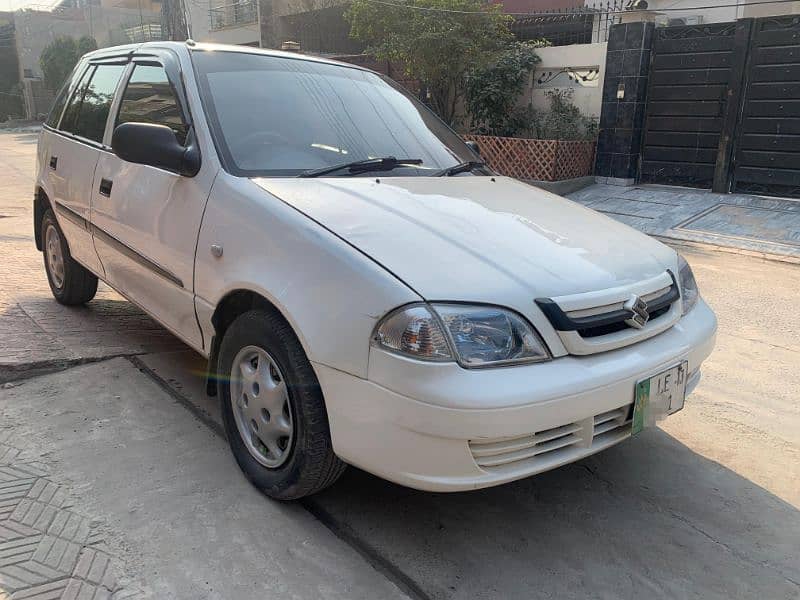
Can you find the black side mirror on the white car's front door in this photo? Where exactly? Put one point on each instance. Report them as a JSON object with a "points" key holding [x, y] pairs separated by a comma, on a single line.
{"points": [[157, 146]]}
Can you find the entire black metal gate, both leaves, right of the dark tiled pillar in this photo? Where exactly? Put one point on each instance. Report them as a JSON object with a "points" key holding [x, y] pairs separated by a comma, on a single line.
{"points": [[723, 107]]}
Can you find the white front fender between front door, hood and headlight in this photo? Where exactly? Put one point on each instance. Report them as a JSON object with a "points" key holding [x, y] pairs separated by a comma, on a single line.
{"points": [[330, 293]]}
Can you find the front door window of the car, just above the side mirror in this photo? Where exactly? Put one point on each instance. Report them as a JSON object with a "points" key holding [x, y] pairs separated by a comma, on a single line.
{"points": [[149, 98]]}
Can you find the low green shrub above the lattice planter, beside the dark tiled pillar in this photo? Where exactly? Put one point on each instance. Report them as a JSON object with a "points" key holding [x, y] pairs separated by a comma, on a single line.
{"points": [[563, 121]]}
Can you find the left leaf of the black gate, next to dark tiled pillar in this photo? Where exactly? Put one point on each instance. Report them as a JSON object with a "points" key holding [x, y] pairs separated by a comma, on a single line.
{"points": [[687, 96]]}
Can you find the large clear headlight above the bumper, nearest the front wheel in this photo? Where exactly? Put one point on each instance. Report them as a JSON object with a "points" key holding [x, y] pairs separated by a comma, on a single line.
{"points": [[476, 336]]}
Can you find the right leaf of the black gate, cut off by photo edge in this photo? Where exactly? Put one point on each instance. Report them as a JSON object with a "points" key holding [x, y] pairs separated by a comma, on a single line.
{"points": [[767, 155]]}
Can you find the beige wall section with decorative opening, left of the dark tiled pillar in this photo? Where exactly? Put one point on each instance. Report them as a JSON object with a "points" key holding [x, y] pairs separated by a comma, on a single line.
{"points": [[582, 57]]}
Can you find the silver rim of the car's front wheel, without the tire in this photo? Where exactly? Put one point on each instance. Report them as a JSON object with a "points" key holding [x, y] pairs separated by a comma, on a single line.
{"points": [[261, 406]]}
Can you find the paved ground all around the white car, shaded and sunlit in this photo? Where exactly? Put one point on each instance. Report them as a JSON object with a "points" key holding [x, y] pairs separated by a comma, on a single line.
{"points": [[704, 507]]}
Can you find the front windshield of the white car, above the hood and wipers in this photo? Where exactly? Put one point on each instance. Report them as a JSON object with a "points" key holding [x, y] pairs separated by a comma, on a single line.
{"points": [[278, 116]]}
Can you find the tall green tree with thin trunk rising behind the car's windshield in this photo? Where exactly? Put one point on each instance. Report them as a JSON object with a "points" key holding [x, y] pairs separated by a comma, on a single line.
{"points": [[436, 41]]}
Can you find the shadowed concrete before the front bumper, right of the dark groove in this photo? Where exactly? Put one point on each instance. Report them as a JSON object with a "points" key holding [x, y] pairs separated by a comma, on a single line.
{"points": [[649, 517]]}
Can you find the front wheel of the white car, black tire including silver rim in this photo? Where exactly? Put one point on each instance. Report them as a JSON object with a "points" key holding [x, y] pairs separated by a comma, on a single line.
{"points": [[267, 385]]}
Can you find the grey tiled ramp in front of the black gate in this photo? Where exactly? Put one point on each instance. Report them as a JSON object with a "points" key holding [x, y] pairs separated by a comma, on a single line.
{"points": [[752, 223]]}
